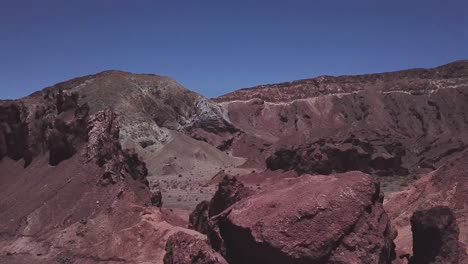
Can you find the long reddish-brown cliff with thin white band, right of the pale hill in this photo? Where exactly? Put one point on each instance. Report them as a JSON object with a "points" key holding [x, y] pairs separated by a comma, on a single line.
{"points": [[423, 113]]}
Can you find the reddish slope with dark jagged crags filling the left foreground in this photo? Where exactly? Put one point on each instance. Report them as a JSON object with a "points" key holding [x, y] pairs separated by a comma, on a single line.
{"points": [[92, 206]]}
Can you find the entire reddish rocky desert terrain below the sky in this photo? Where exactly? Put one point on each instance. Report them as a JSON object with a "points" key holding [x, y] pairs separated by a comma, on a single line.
{"points": [[134, 168]]}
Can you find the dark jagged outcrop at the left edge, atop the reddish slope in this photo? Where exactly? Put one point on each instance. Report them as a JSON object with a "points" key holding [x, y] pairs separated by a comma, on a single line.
{"points": [[54, 123]]}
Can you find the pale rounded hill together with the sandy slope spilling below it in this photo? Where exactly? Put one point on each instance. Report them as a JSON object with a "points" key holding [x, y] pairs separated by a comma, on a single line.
{"points": [[154, 112]]}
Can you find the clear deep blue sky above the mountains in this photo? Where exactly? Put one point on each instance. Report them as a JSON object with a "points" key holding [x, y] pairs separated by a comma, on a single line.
{"points": [[213, 47]]}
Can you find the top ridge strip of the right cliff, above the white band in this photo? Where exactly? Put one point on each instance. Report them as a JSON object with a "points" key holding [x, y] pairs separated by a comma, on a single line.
{"points": [[414, 81]]}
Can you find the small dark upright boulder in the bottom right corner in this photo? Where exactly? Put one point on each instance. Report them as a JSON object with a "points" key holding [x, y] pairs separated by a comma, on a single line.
{"points": [[435, 237]]}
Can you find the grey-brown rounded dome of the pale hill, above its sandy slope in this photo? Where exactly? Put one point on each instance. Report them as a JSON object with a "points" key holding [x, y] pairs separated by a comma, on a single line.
{"points": [[147, 105]]}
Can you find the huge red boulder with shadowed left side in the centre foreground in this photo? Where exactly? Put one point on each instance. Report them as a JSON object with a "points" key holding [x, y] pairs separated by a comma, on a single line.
{"points": [[310, 219]]}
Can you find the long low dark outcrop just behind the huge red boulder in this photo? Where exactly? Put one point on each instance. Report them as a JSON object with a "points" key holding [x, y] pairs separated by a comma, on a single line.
{"points": [[326, 157]]}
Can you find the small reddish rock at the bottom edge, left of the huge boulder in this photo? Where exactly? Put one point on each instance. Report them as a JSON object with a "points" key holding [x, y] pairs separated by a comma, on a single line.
{"points": [[182, 248]]}
